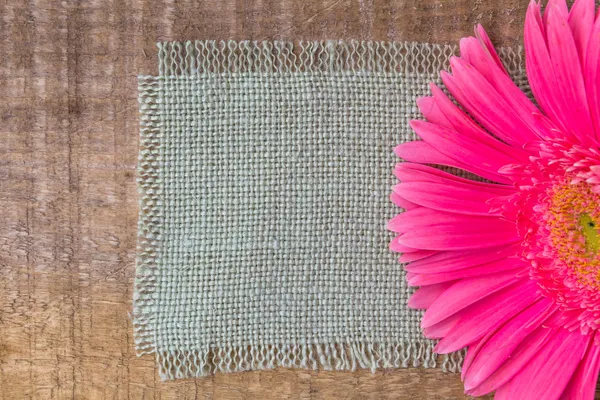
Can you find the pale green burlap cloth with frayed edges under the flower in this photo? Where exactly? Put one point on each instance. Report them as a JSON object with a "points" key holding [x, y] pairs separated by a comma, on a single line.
{"points": [[265, 172]]}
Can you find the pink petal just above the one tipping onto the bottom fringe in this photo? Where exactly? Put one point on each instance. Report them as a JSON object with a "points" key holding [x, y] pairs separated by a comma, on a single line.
{"points": [[464, 293]]}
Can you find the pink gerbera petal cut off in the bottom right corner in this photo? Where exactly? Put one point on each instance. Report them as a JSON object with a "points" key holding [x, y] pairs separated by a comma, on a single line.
{"points": [[583, 383]]}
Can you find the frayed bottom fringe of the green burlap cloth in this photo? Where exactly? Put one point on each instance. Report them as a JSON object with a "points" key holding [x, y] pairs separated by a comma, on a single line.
{"points": [[349, 356]]}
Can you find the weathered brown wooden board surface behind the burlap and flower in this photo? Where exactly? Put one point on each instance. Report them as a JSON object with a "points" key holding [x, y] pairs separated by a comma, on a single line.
{"points": [[68, 201]]}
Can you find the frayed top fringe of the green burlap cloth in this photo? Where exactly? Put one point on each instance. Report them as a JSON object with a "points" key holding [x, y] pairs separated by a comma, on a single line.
{"points": [[330, 56]]}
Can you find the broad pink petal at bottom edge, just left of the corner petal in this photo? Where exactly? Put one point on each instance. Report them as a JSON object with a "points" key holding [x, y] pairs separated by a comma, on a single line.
{"points": [[547, 374]]}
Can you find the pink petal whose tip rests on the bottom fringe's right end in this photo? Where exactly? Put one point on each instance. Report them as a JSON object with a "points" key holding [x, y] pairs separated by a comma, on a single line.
{"points": [[488, 314]]}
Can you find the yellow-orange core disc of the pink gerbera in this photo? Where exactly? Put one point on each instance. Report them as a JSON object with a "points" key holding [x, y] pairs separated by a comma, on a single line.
{"points": [[573, 232]]}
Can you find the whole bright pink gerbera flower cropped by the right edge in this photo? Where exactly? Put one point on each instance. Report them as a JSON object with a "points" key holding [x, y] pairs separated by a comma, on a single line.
{"points": [[510, 268]]}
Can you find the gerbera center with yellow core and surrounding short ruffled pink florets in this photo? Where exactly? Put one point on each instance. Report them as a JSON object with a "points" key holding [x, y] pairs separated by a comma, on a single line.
{"points": [[557, 213]]}
